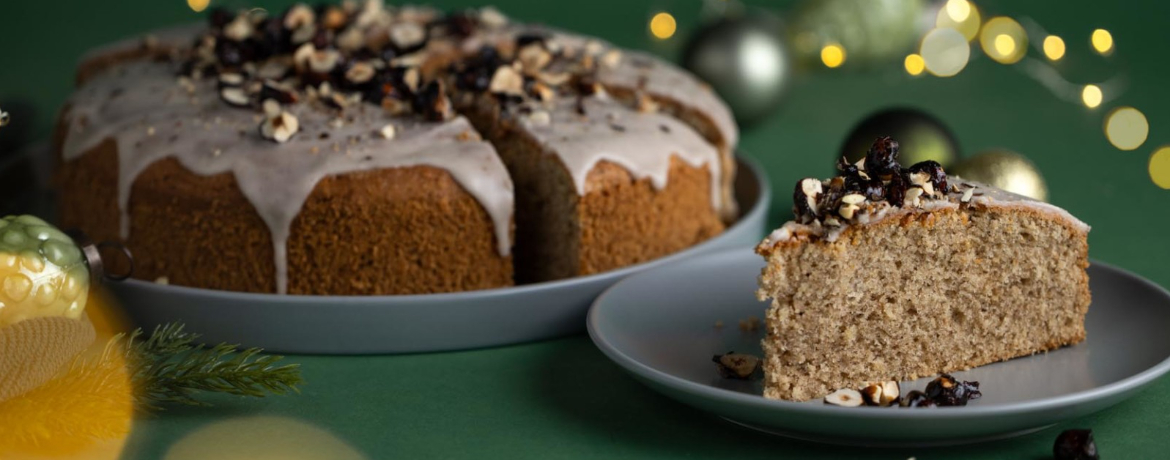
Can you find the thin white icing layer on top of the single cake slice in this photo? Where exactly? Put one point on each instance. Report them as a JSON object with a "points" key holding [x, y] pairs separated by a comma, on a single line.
{"points": [[988, 196]]}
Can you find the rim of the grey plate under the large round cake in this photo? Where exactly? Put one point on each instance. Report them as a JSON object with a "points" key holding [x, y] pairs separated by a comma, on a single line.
{"points": [[762, 205]]}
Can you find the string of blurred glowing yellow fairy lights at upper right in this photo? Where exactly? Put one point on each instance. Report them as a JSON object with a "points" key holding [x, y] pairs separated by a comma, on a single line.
{"points": [[945, 51]]}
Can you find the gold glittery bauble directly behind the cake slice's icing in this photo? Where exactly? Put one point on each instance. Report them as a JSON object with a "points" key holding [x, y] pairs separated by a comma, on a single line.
{"points": [[1006, 170]]}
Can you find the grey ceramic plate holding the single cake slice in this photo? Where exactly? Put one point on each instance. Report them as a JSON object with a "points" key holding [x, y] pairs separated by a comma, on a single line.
{"points": [[660, 327]]}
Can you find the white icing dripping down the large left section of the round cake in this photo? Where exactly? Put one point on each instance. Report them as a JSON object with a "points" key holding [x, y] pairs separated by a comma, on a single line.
{"points": [[142, 108]]}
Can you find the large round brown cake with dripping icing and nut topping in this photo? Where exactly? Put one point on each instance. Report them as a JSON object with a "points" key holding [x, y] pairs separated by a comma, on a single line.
{"points": [[361, 149]]}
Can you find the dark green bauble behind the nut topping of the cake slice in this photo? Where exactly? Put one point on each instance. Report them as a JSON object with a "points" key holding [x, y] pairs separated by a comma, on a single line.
{"points": [[920, 136]]}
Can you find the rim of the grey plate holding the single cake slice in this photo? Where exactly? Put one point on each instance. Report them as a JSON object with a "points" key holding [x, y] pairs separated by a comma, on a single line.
{"points": [[676, 383]]}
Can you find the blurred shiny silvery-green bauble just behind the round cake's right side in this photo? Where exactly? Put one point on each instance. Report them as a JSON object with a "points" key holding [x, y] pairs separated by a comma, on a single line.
{"points": [[745, 59]]}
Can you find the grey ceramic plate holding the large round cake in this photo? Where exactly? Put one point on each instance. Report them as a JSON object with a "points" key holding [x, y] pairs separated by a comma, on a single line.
{"points": [[414, 324]]}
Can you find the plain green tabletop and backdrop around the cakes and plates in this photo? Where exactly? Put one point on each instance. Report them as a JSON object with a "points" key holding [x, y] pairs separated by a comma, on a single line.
{"points": [[563, 400]]}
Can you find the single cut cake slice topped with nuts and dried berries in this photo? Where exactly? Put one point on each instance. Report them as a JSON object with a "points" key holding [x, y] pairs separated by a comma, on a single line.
{"points": [[892, 273]]}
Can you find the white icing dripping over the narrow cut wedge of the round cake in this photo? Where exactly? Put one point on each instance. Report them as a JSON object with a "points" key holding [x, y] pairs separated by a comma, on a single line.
{"points": [[612, 132]]}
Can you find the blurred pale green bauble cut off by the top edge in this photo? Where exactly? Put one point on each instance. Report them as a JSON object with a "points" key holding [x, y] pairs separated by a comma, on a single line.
{"points": [[872, 32]]}
